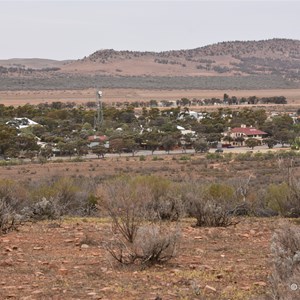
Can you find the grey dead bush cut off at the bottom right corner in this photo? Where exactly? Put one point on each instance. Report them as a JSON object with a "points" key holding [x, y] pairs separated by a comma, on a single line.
{"points": [[285, 277]]}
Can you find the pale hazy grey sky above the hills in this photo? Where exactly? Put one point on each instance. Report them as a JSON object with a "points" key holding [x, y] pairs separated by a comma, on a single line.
{"points": [[74, 29]]}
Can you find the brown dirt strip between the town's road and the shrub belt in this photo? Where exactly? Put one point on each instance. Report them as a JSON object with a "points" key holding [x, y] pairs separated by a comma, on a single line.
{"points": [[176, 167]]}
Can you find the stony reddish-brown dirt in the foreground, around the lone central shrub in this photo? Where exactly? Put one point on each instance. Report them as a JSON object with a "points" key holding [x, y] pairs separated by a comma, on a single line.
{"points": [[67, 260]]}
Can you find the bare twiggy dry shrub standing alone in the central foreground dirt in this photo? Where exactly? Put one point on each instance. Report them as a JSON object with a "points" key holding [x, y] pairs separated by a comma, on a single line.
{"points": [[136, 240]]}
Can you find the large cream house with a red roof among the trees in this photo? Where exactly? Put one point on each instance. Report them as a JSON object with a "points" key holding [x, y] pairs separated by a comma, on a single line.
{"points": [[239, 135]]}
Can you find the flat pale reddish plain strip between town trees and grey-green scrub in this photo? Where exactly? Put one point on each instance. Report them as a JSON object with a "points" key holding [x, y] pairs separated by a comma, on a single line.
{"points": [[112, 95]]}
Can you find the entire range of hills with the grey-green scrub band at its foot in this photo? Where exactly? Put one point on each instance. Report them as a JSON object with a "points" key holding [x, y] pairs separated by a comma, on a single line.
{"points": [[275, 60]]}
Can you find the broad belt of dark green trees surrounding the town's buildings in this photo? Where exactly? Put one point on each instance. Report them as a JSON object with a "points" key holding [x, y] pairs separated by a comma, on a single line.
{"points": [[66, 129]]}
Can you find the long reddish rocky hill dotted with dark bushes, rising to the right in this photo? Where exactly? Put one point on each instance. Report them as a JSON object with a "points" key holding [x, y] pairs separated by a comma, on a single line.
{"points": [[276, 56]]}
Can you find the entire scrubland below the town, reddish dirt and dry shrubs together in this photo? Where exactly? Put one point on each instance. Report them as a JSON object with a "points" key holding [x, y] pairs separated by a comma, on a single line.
{"points": [[158, 227]]}
